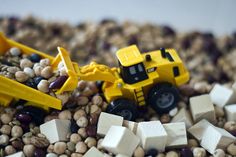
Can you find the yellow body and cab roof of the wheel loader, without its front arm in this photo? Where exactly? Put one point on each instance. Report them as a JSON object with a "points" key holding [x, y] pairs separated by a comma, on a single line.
{"points": [[160, 70]]}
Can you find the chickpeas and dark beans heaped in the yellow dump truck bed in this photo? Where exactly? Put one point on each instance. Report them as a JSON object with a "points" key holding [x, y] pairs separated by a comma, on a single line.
{"points": [[33, 72]]}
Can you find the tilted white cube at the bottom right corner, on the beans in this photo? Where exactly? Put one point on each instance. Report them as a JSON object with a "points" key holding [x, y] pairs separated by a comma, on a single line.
{"points": [[214, 138]]}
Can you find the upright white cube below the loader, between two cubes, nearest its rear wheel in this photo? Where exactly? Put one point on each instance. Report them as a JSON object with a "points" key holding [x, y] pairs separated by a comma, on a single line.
{"points": [[152, 135]]}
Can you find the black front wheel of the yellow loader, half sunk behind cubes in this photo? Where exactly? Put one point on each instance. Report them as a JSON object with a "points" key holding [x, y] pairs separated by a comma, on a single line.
{"points": [[124, 108]]}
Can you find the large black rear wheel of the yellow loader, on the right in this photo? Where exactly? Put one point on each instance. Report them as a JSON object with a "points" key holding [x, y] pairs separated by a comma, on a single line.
{"points": [[163, 97]]}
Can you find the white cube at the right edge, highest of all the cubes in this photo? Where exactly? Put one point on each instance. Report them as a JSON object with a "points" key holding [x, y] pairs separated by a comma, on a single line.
{"points": [[222, 96]]}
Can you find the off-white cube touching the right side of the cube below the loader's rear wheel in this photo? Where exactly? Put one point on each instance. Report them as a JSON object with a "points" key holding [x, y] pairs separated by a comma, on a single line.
{"points": [[177, 136]]}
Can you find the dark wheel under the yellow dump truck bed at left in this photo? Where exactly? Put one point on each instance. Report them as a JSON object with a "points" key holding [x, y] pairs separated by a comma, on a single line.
{"points": [[36, 114]]}
